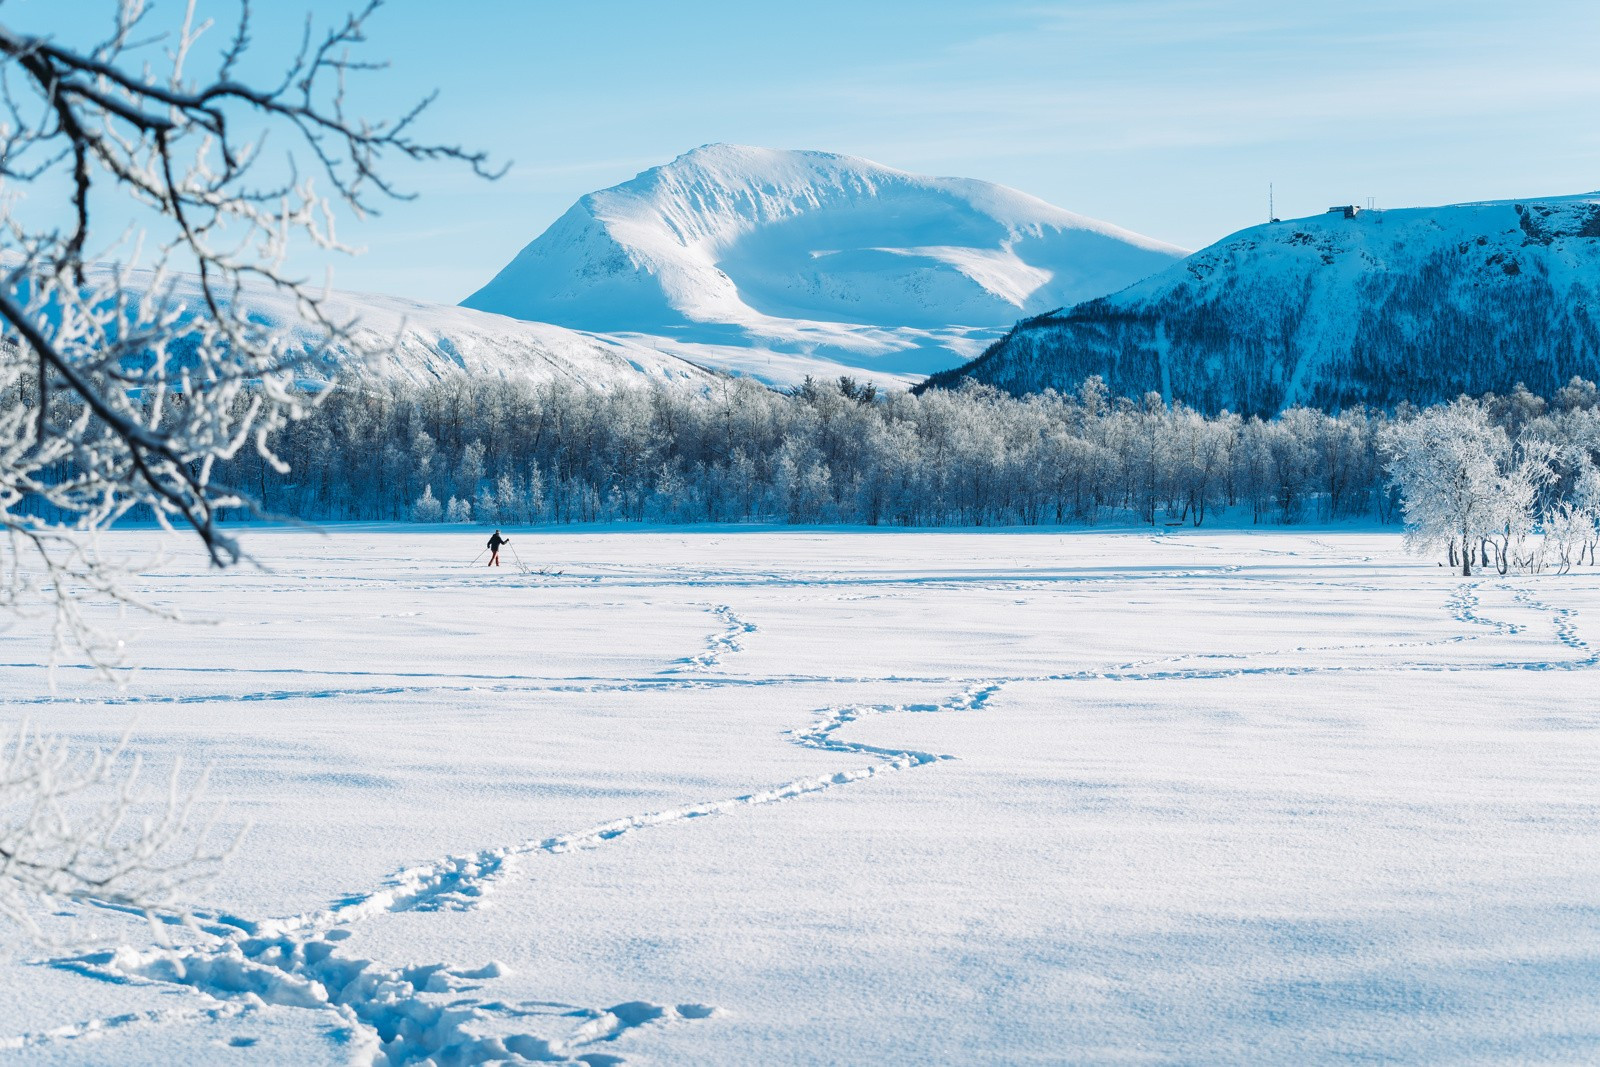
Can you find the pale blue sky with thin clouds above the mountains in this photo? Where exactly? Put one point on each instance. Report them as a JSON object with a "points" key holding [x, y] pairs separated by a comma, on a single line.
{"points": [[1164, 116]]}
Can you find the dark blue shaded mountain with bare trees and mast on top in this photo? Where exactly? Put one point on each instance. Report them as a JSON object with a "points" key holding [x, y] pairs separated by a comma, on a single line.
{"points": [[1377, 306]]}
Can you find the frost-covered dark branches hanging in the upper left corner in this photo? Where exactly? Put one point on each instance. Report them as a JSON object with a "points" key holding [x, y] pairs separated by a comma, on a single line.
{"points": [[161, 199]]}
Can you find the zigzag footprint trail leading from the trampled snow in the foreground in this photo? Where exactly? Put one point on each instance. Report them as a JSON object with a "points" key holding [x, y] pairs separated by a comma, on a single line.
{"points": [[410, 1015]]}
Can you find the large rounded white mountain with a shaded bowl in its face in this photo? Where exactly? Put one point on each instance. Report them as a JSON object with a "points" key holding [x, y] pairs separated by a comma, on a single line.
{"points": [[790, 263]]}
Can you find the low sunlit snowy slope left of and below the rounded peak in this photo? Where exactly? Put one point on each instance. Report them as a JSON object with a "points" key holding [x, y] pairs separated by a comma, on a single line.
{"points": [[422, 343]]}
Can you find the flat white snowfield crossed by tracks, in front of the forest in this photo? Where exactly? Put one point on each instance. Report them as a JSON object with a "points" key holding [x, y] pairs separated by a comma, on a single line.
{"points": [[794, 797]]}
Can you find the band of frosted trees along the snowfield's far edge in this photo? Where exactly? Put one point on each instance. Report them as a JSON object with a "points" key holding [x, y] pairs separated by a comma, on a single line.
{"points": [[513, 454]]}
